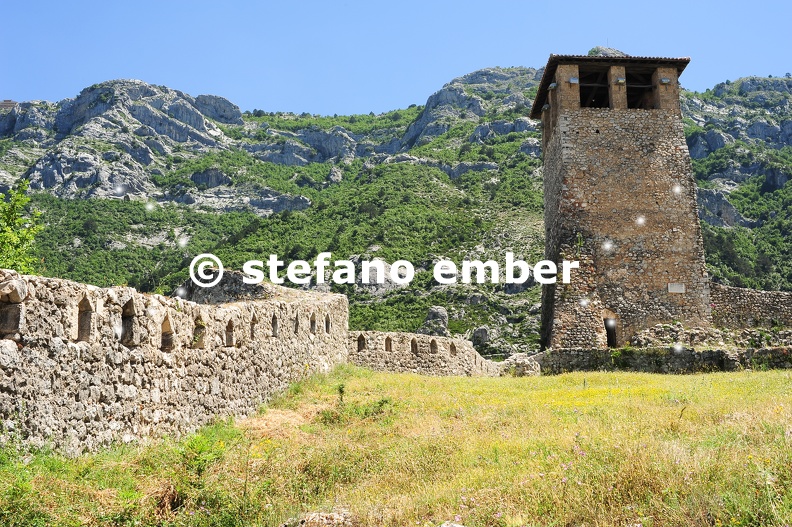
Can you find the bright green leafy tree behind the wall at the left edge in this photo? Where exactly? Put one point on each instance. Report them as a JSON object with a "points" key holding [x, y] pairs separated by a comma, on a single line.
{"points": [[17, 230]]}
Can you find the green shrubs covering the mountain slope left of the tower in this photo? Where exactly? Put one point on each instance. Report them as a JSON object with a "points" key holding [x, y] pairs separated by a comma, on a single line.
{"points": [[389, 211]]}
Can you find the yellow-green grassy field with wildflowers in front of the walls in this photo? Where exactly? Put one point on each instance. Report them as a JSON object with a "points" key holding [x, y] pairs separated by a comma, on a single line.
{"points": [[575, 449]]}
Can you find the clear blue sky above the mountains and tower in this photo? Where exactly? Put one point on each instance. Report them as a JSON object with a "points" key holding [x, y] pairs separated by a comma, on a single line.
{"points": [[359, 56]]}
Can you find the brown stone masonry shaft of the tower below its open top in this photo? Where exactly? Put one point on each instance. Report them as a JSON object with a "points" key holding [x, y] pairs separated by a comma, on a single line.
{"points": [[619, 189]]}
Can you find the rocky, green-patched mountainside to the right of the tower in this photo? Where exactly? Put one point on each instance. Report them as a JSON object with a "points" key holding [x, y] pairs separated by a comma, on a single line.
{"points": [[740, 135]]}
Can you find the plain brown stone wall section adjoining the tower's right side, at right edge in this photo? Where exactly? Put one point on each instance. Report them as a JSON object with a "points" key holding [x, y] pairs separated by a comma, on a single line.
{"points": [[735, 307]]}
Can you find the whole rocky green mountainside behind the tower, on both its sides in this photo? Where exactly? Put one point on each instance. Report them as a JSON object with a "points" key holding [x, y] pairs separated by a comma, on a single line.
{"points": [[135, 179]]}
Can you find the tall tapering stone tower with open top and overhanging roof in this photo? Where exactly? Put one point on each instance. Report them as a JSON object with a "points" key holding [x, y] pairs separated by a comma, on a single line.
{"points": [[620, 197]]}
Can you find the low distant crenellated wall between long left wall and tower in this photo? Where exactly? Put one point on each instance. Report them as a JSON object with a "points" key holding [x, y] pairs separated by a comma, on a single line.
{"points": [[424, 354]]}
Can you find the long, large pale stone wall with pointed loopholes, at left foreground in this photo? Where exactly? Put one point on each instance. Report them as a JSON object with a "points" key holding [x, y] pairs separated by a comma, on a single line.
{"points": [[82, 366]]}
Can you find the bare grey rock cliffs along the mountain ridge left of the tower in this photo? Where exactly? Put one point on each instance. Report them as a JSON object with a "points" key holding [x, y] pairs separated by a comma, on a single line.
{"points": [[116, 138]]}
